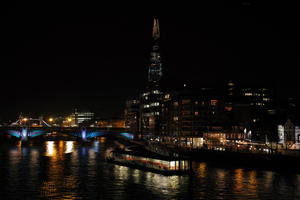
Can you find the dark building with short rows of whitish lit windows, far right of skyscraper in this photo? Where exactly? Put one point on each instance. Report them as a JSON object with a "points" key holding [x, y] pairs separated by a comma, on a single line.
{"points": [[251, 107]]}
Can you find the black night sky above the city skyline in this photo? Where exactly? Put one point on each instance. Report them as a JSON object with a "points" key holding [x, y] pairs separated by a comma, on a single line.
{"points": [[56, 56]]}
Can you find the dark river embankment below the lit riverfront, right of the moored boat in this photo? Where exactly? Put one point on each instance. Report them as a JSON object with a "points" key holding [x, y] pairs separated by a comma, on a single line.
{"points": [[280, 160]]}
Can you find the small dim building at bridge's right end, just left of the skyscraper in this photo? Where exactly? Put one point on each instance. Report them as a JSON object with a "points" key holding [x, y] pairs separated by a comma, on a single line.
{"points": [[131, 115]]}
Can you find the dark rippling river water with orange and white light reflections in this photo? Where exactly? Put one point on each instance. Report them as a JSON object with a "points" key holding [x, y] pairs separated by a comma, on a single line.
{"points": [[67, 170]]}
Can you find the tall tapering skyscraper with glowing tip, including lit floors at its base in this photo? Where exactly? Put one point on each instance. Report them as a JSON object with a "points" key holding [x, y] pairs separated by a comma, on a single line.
{"points": [[151, 96]]}
